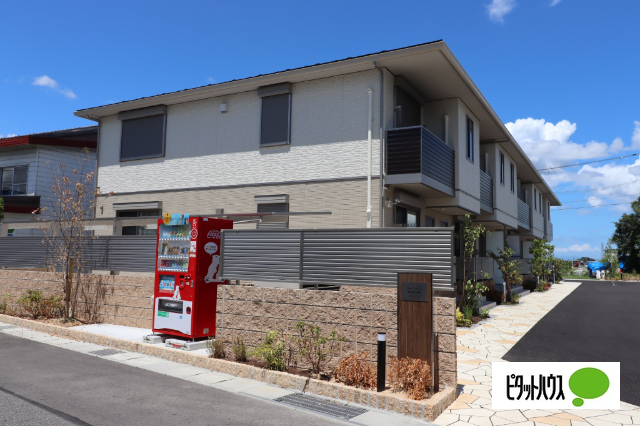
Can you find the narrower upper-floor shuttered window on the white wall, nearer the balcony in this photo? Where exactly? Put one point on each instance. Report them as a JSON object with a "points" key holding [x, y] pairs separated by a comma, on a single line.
{"points": [[275, 122]]}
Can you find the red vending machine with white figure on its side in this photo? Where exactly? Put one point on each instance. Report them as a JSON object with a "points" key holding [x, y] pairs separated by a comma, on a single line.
{"points": [[186, 284]]}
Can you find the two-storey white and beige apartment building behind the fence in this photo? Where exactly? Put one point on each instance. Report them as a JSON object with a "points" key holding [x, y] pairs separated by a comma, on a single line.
{"points": [[298, 140]]}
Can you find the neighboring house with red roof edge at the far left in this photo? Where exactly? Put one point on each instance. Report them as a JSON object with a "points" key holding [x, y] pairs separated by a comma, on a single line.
{"points": [[26, 164]]}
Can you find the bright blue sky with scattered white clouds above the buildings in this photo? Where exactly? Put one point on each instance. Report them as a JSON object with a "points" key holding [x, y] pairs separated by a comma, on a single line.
{"points": [[568, 70]]}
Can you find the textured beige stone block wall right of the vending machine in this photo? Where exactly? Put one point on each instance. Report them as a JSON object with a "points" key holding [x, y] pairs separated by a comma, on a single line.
{"points": [[249, 312]]}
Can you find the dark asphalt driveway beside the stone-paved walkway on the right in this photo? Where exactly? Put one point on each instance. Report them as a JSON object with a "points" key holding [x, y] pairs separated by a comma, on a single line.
{"points": [[597, 322]]}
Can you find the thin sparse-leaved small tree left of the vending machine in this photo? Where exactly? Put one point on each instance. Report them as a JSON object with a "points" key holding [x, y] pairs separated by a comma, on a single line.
{"points": [[69, 211]]}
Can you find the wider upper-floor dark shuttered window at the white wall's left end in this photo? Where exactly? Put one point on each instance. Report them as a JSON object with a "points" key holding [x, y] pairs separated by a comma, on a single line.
{"points": [[143, 133]]}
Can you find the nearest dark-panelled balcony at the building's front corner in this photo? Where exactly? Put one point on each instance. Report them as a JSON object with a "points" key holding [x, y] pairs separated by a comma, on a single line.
{"points": [[420, 162]]}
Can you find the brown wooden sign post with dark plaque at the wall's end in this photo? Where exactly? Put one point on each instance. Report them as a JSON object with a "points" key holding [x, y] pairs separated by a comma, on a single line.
{"points": [[415, 318]]}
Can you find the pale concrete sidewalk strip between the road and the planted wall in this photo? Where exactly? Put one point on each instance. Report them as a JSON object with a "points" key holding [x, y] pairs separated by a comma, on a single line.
{"points": [[246, 387]]}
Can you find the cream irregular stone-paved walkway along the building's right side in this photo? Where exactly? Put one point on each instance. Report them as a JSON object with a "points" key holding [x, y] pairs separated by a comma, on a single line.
{"points": [[490, 341]]}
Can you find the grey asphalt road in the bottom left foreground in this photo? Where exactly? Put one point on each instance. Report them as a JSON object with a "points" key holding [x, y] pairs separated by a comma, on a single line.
{"points": [[46, 385]]}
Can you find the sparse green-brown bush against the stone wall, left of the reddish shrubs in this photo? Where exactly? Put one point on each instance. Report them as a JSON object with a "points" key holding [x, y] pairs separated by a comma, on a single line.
{"points": [[314, 347]]}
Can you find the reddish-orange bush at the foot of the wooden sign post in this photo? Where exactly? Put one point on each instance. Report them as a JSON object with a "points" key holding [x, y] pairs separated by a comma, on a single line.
{"points": [[410, 374]]}
